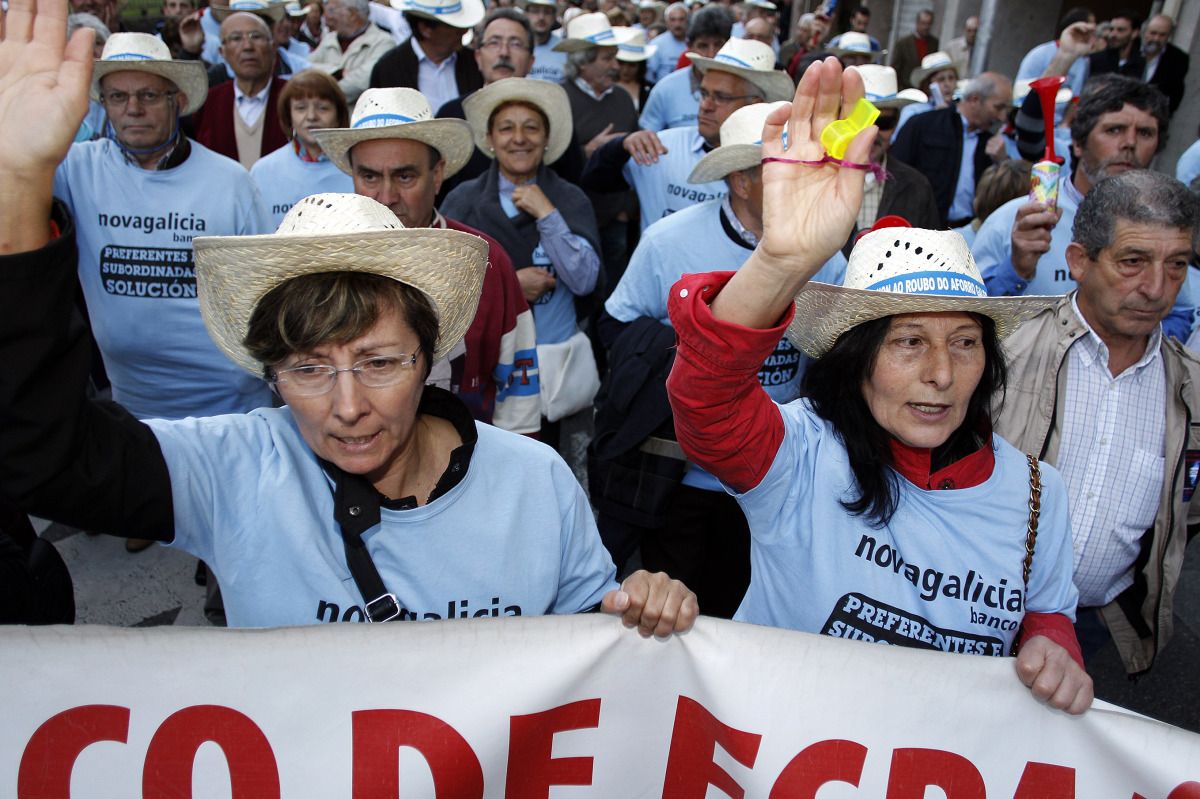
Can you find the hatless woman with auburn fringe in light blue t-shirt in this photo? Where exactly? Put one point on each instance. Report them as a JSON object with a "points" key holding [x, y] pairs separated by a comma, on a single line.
{"points": [[310, 101]]}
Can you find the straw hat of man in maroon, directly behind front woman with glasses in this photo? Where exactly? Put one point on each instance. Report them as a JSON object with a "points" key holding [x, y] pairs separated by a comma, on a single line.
{"points": [[398, 115]]}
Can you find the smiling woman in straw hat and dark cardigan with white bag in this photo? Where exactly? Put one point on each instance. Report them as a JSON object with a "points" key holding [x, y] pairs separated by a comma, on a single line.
{"points": [[545, 224]]}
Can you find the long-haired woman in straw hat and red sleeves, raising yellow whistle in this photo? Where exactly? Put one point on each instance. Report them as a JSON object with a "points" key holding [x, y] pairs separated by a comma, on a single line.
{"points": [[881, 507]]}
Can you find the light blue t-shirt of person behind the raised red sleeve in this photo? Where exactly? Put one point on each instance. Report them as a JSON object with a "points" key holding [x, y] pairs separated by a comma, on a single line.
{"points": [[698, 241]]}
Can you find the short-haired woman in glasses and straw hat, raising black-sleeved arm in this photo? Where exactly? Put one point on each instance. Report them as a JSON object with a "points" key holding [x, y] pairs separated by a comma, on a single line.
{"points": [[368, 496]]}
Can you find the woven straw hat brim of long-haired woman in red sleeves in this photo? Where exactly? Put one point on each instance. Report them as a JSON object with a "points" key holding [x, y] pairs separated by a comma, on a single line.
{"points": [[825, 313]]}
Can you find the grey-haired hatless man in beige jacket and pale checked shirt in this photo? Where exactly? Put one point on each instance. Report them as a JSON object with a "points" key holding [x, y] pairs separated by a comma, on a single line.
{"points": [[1097, 391]]}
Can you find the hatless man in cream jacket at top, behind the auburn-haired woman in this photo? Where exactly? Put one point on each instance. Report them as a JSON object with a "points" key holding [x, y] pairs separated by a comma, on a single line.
{"points": [[352, 46]]}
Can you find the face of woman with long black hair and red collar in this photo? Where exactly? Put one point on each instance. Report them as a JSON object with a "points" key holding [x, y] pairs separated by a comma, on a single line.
{"points": [[925, 375]]}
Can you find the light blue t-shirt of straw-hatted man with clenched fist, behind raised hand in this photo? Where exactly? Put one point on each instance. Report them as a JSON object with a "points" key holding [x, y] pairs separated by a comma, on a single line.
{"points": [[663, 188]]}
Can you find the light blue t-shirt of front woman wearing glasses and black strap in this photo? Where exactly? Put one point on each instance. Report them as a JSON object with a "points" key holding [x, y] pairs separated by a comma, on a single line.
{"points": [[514, 538]]}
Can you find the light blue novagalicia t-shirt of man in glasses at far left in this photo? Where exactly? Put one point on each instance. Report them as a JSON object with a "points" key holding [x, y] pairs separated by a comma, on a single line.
{"points": [[135, 232]]}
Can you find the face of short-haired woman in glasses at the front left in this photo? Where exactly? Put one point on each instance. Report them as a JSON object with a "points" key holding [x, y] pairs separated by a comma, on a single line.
{"points": [[363, 431]]}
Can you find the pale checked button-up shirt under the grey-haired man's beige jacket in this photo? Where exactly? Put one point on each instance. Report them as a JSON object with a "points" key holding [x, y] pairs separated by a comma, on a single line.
{"points": [[1112, 459]]}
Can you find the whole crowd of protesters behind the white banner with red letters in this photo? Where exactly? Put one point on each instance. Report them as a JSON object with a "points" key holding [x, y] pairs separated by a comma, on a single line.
{"points": [[885, 397]]}
